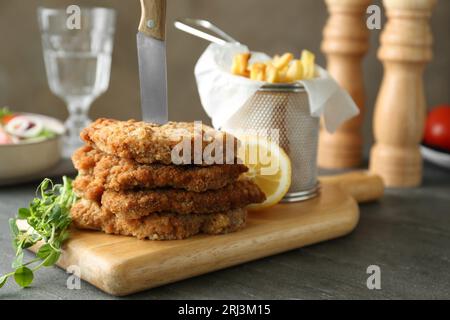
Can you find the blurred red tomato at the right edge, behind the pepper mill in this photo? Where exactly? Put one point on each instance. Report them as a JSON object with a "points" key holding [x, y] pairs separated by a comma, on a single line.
{"points": [[437, 127]]}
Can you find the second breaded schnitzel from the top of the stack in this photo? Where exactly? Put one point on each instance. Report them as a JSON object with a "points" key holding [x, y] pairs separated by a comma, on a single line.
{"points": [[100, 171]]}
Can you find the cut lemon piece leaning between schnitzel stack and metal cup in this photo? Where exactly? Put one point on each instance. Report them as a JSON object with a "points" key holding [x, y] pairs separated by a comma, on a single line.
{"points": [[269, 167]]}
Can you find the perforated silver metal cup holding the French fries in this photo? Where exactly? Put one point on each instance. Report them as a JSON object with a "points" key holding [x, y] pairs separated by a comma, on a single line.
{"points": [[286, 108]]}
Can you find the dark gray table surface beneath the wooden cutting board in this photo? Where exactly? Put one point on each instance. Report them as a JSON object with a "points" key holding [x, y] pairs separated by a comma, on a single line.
{"points": [[407, 234]]}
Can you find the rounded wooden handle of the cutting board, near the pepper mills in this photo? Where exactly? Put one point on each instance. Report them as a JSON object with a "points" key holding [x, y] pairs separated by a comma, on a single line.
{"points": [[361, 185]]}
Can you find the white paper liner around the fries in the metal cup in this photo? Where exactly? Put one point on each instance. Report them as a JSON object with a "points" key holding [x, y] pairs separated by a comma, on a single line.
{"points": [[222, 94]]}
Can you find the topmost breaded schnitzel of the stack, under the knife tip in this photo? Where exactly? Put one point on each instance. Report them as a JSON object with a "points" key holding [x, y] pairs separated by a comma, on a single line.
{"points": [[148, 143]]}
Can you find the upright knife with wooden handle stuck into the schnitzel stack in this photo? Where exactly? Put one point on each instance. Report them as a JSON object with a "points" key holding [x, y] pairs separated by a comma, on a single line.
{"points": [[151, 48]]}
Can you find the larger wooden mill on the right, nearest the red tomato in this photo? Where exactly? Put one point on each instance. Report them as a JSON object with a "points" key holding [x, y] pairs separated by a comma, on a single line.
{"points": [[400, 108]]}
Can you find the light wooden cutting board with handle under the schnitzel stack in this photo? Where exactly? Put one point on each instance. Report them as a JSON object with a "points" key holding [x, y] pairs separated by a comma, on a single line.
{"points": [[124, 265]]}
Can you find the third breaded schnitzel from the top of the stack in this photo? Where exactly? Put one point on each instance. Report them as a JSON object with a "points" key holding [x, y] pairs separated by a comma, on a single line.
{"points": [[136, 204]]}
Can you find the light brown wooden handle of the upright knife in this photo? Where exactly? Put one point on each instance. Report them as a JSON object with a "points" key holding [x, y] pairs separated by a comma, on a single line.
{"points": [[153, 19]]}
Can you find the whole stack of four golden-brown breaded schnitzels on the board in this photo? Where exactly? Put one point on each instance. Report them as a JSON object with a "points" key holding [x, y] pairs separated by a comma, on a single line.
{"points": [[129, 184]]}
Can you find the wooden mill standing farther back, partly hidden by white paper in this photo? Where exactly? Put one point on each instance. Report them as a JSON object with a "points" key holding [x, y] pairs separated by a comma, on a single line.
{"points": [[346, 41]]}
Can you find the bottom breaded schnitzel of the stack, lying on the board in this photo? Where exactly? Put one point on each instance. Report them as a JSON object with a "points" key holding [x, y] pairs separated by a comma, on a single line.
{"points": [[159, 226]]}
